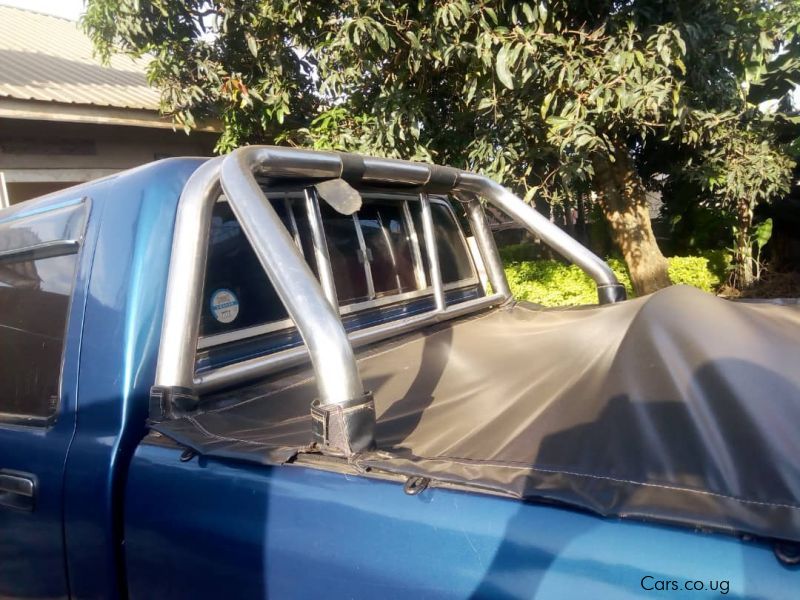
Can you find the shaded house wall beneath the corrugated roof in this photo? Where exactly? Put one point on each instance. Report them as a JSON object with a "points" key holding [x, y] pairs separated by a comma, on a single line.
{"points": [[39, 157]]}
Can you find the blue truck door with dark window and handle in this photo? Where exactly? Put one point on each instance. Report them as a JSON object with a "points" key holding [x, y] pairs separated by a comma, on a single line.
{"points": [[39, 336]]}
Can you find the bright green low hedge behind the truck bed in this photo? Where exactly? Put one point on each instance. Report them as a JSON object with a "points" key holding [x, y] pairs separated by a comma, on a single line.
{"points": [[552, 283]]}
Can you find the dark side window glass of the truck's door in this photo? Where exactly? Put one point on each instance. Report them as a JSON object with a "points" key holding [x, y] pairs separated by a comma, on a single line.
{"points": [[35, 290]]}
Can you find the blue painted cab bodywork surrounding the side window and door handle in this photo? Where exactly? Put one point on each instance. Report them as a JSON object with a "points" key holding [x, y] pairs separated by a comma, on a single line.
{"points": [[71, 544]]}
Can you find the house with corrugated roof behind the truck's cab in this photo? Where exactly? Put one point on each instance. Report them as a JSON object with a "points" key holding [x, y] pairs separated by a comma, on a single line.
{"points": [[65, 118]]}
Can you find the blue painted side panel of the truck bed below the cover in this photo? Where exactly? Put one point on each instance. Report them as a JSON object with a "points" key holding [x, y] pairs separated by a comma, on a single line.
{"points": [[211, 529]]}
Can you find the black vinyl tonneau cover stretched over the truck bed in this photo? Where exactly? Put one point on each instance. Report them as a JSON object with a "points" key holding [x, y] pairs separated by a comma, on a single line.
{"points": [[677, 407]]}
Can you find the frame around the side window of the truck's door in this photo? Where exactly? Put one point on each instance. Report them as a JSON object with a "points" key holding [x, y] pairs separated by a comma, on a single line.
{"points": [[57, 248]]}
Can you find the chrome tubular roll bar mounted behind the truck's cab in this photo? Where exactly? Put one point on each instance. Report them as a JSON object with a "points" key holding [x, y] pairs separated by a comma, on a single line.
{"points": [[312, 308]]}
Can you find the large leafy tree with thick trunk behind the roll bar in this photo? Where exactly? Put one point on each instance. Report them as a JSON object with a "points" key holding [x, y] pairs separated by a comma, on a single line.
{"points": [[552, 98]]}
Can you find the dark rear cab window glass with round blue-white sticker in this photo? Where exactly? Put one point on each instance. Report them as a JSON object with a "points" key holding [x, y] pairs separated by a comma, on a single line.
{"points": [[375, 258]]}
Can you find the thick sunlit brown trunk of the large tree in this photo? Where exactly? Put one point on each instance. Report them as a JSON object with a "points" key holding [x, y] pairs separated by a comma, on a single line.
{"points": [[624, 203]]}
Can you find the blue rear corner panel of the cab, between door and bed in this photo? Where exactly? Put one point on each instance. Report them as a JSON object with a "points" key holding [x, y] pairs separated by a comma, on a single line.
{"points": [[120, 347]]}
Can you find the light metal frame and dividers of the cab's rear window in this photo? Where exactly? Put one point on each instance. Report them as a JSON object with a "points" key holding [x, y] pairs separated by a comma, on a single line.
{"points": [[312, 210]]}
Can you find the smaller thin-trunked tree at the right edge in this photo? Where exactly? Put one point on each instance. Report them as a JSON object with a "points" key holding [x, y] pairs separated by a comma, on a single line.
{"points": [[740, 155]]}
